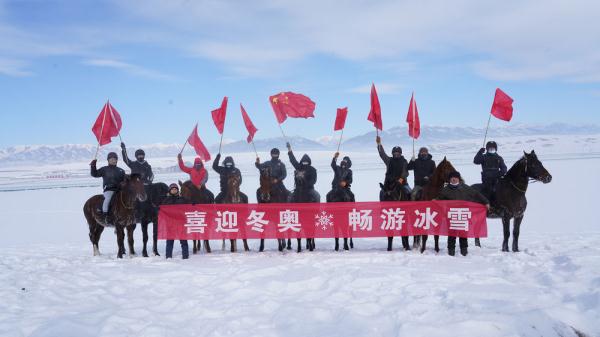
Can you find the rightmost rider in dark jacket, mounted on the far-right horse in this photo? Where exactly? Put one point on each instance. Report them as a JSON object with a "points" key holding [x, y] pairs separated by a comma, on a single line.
{"points": [[492, 168]]}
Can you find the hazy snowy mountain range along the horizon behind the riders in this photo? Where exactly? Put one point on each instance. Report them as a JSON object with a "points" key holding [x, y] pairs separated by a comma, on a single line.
{"points": [[430, 135]]}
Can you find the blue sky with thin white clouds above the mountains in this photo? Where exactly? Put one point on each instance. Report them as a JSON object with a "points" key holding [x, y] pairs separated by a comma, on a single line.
{"points": [[166, 64]]}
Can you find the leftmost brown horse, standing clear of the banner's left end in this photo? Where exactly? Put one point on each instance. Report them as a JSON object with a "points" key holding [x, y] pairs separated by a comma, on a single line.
{"points": [[121, 213]]}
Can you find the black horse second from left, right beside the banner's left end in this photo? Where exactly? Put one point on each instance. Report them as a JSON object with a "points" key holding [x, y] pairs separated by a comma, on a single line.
{"points": [[148, 213]]}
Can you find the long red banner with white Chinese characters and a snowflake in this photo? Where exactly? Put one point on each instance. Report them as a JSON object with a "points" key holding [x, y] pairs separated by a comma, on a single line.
{"points": [[321, 220]]}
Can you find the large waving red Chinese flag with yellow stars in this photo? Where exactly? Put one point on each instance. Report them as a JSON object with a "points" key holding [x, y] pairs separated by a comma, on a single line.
{"points": [[289, 104]]}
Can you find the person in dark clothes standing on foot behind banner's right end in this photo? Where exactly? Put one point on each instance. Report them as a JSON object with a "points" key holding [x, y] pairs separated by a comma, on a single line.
{"points": [[458, 190]]}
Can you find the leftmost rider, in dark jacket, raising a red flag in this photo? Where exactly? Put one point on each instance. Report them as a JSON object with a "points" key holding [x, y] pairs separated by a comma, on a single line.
{"points": [[112, 177]]}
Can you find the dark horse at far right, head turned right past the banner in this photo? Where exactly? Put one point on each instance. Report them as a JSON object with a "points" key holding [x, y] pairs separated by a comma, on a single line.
{"points": [[509, 200]]}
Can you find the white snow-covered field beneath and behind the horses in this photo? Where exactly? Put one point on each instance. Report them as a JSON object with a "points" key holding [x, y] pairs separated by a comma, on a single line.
{"points": [[51, 285]]}
